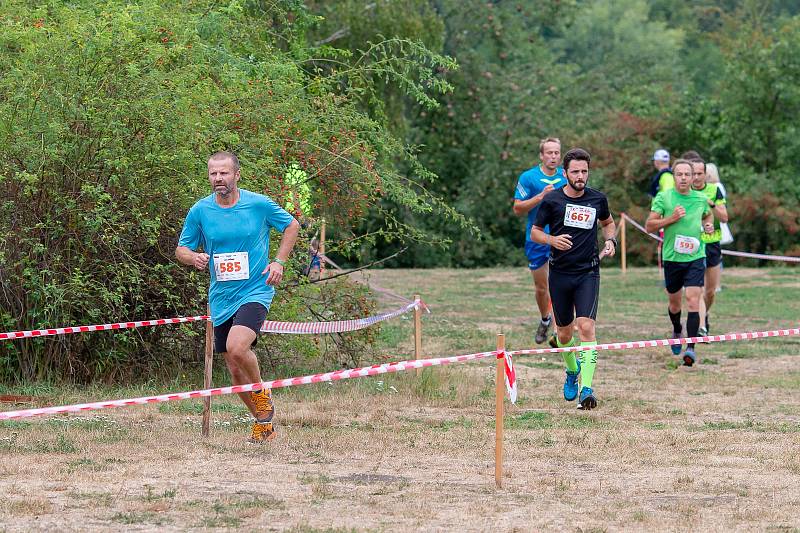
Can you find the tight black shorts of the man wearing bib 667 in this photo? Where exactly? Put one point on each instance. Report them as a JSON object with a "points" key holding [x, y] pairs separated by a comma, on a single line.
{"points": [[574, 295]]}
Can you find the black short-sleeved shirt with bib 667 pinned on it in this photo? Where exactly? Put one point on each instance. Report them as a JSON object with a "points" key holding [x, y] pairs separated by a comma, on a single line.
{"points": [[577, 217]]}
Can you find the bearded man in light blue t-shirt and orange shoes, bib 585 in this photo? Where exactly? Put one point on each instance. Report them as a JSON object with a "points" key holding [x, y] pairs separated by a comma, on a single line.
{"points": [[232, 227]]}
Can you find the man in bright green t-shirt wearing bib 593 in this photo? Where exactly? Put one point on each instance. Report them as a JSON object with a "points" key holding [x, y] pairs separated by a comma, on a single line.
{"points": [[683, 214]]}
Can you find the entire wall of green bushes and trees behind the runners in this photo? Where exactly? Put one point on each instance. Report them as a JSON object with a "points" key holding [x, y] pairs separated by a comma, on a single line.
{"points": [[412, 120]]}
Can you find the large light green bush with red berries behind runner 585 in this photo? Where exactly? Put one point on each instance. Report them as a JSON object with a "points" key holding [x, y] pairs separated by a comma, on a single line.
{"points": [[108, 112]]}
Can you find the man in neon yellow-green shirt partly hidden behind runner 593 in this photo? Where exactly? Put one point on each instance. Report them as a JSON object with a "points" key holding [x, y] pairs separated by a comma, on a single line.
{"points": [[716, 202]]}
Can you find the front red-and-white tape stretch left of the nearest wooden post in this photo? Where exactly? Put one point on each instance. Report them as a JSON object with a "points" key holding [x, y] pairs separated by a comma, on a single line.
{"points": [[290, 382]]}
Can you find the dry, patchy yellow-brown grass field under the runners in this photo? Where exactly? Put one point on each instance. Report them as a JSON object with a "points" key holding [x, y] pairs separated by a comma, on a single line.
{"points": [[715, 447]]}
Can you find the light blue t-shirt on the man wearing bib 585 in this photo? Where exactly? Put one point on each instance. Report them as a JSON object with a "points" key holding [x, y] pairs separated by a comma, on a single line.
{"points": [[244, 227]]}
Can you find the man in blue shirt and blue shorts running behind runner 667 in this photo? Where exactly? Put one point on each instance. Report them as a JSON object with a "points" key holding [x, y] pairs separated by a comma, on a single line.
{"points": [[533, 185]]}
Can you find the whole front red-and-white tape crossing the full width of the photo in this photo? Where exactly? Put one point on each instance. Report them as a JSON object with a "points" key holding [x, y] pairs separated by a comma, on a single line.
{"points": [[381, 369]]}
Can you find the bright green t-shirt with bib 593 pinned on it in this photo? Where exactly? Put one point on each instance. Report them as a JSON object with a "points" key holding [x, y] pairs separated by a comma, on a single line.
{"points": [[682, 239]]}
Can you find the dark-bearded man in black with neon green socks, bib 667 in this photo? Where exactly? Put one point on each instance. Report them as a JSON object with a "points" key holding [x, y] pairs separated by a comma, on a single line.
{"points": [[573, 213]]}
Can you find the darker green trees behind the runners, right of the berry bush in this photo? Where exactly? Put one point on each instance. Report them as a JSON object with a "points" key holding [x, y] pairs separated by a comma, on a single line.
{"points": [[620, 78]]}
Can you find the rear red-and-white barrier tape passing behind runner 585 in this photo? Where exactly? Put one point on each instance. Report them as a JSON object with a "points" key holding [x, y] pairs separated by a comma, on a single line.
{"points": [[270, 326]]}
